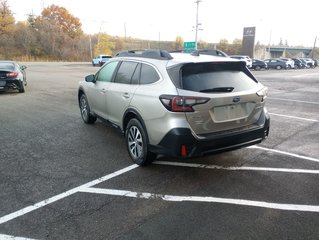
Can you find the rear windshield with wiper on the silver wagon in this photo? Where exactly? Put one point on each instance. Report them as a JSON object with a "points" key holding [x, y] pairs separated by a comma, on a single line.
{"points": [[215, 78]]}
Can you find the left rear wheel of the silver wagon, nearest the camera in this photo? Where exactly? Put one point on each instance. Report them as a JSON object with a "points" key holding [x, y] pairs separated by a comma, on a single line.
{"points": [[137, 143]]}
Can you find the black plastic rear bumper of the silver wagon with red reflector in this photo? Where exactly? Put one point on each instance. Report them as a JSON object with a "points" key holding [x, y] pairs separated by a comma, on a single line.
{"points": [[180, 142]]}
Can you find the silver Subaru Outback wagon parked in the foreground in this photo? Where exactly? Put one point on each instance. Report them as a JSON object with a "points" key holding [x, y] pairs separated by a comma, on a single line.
{"points": [[176, 104]]}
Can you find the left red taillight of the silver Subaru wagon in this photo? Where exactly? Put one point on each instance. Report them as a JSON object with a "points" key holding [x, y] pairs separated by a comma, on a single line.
{"points": [[181, 103]]}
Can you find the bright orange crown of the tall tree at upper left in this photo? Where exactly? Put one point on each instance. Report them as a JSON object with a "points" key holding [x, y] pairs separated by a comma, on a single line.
{"points": [[61, 17]]}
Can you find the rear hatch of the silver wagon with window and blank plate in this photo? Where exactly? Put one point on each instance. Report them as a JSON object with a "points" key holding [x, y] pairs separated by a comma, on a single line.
{"points": [[224, 96]]}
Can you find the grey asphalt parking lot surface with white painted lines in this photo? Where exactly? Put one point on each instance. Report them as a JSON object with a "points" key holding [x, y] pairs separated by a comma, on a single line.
{"points": [[62, 179]]}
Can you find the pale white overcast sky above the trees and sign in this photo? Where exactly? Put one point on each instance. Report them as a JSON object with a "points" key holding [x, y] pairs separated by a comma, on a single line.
{"points": [[294, 22]]}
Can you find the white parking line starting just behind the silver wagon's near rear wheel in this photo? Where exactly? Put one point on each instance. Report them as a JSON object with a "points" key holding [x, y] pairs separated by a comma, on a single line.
{"points": [[194, 165]]}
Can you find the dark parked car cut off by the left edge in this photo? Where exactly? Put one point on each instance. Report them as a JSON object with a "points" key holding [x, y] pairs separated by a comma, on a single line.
{"points": [[12, 76]]}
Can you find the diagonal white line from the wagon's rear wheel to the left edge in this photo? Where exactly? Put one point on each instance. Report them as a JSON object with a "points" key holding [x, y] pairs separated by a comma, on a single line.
{"points": [[63, 195]]}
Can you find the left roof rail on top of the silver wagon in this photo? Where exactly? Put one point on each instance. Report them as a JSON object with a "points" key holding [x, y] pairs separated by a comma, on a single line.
{"points": [[148, 53]]}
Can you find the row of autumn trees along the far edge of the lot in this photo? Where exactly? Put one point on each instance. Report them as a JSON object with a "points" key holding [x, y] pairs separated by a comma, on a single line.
{"points": [[56, 35]]}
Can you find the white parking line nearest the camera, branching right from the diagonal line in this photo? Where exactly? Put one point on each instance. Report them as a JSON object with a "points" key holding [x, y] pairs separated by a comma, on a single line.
{"points": [[172, 198]]}
